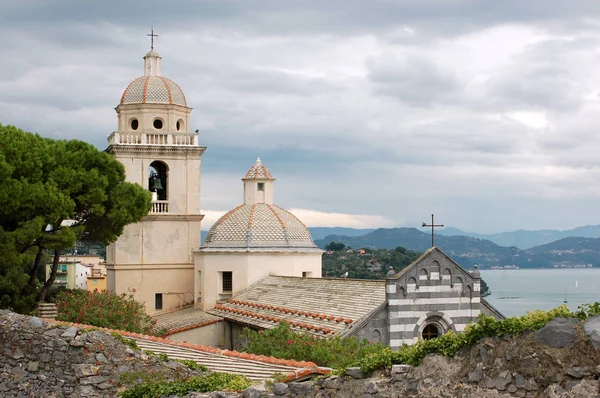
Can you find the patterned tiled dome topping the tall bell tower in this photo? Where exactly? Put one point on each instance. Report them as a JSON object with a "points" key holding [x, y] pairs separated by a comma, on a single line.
{"points": [[153, 90]]}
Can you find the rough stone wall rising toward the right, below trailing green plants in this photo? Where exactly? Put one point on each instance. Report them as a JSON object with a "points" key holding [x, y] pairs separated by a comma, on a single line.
{"points": [[560, 360]]}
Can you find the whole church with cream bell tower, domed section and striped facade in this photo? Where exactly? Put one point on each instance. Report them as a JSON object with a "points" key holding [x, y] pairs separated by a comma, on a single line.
{"points": [[258, 265]]}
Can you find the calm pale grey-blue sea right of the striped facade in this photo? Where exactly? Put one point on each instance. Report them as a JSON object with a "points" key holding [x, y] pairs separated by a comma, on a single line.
{"points": [[518, 291]]}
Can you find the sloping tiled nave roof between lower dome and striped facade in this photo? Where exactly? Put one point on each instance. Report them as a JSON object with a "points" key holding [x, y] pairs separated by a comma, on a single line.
{"points": [[321, 306]]}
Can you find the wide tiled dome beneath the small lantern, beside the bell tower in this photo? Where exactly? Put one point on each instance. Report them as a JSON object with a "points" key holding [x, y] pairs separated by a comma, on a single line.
{"points": [[259, 225]]}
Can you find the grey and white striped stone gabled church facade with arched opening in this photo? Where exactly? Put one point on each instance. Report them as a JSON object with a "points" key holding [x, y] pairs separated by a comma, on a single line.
{"points": [[431, 296]]}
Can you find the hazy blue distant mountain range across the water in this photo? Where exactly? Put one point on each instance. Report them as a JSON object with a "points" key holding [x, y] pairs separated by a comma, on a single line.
{"points": [[567, 252]]}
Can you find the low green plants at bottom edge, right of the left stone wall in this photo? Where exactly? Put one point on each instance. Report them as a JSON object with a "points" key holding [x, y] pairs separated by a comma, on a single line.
{"points": [[150, 388]]}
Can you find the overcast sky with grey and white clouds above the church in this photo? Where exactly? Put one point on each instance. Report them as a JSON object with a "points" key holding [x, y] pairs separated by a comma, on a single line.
{"points": [[369, 113]]}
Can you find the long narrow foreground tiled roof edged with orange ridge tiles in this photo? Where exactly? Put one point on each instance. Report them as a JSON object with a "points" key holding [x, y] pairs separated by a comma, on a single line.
{"points": [[255, 367]]}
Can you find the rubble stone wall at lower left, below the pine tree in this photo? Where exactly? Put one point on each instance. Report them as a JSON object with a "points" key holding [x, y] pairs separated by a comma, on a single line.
{"points": [[44, 359]]}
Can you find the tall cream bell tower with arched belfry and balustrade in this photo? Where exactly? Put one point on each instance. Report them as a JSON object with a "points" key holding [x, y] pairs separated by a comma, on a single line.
{"points": [[153, 259]]}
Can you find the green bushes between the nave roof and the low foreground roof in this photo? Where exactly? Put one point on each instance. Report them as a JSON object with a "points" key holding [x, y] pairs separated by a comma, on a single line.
{"points": [[282, 342]]}
